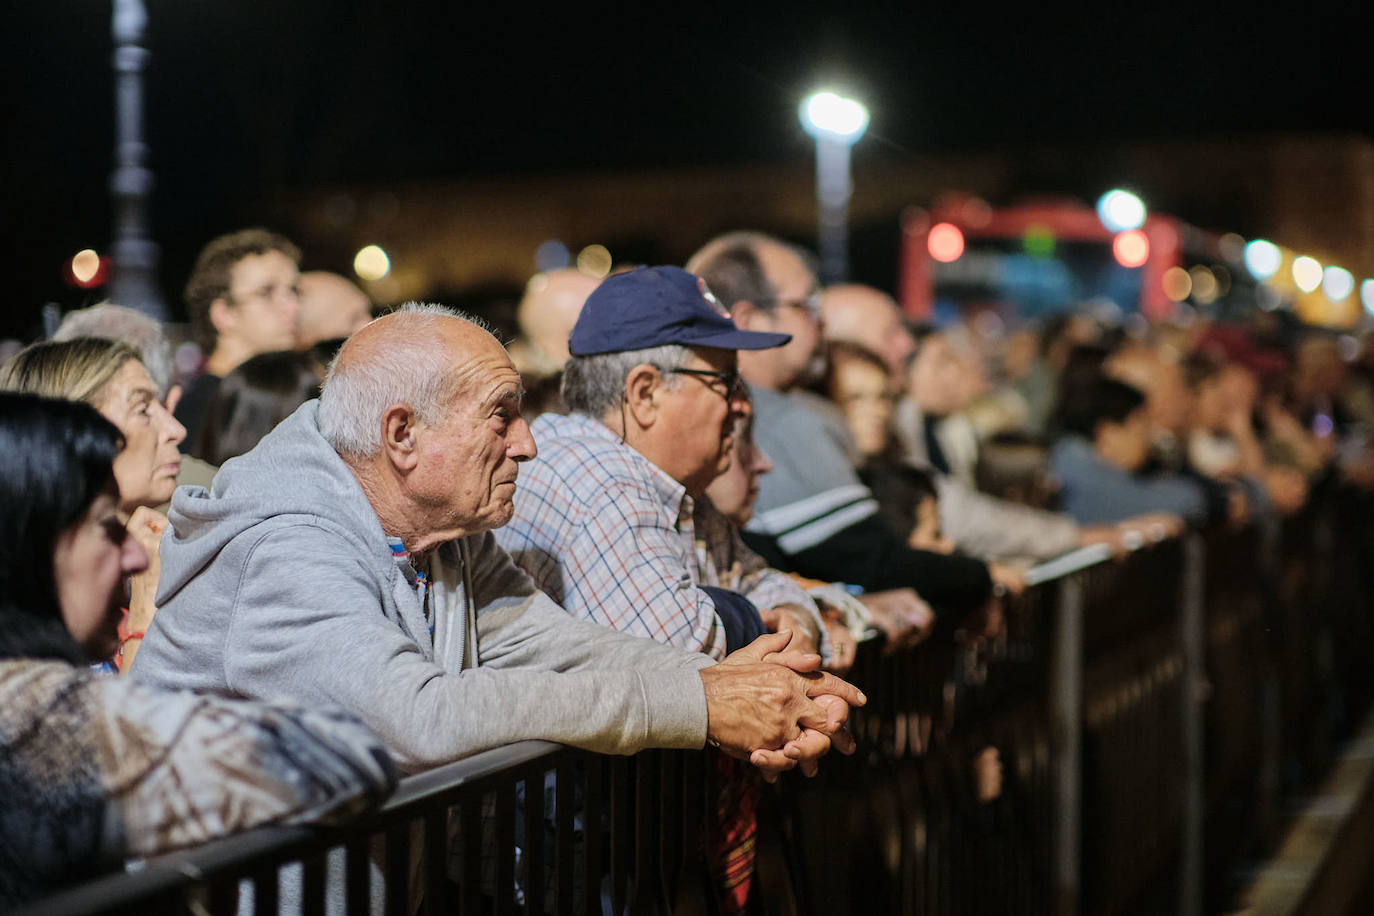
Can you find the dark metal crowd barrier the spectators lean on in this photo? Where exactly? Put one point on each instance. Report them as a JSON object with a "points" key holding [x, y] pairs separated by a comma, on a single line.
{"points": [[1148, 713]]}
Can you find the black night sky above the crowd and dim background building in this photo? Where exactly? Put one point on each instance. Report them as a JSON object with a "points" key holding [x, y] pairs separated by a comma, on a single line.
{"points": [[248, 100]]}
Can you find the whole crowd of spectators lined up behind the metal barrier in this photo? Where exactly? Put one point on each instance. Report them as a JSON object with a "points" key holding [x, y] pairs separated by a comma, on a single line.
{"points": [[355, 549]]}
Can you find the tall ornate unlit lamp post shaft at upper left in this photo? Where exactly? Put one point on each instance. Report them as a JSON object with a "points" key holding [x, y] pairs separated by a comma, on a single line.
{"points": [[135, 281]]}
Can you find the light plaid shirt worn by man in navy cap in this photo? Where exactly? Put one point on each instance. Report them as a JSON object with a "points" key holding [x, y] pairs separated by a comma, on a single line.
{"points": [[609, 536]]}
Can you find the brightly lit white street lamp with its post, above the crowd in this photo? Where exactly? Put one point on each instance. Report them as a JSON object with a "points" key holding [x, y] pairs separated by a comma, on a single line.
{"points": [[836, 124]]}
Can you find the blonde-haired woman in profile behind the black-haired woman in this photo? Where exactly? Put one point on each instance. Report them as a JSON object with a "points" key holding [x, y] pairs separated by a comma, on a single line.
{"points": [[109, 377]]}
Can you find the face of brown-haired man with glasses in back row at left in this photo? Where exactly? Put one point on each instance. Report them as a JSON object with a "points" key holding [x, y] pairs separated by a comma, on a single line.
{"points": [[264, 299]]}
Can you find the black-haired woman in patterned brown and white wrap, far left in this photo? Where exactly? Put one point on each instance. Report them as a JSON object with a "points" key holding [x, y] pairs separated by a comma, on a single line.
{"points": [[95, 770]]}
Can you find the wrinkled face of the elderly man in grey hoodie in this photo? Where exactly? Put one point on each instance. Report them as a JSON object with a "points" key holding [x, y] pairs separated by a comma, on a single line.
{"points": [[469, 462]]}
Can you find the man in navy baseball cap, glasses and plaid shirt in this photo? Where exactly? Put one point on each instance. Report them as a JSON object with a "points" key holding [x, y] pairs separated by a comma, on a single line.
{"points": [[604, 514]]}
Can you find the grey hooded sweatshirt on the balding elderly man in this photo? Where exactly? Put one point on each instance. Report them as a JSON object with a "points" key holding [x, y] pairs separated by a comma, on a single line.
{"points": [[280, 583]]}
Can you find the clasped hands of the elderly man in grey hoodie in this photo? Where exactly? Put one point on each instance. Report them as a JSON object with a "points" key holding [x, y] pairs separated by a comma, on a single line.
{"points": [[773, 707]]}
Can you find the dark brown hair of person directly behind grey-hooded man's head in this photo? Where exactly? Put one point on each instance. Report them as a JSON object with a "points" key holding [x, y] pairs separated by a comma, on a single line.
{"points": [[252, 400]]}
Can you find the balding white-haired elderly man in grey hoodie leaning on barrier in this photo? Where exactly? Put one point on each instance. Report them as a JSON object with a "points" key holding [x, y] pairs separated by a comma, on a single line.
{"points": [[350, 561]]}
